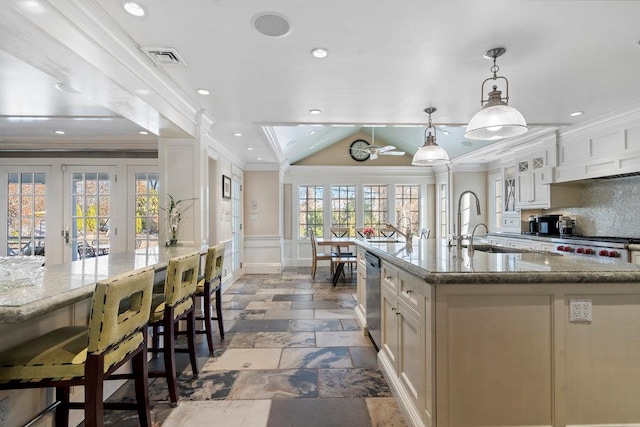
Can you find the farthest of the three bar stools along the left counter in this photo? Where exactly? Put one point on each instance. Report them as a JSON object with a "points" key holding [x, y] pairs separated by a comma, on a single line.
{"points": [[209, 283]]}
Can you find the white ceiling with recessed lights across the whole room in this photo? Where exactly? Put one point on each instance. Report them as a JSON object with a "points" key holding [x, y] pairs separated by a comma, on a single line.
{"points": [[387, 61]]}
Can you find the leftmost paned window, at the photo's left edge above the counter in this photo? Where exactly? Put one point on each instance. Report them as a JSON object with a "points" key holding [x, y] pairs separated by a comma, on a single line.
{"points": [[25, 213]]}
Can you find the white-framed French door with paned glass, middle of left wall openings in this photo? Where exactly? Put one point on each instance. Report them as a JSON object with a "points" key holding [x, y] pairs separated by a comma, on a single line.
{"points": [[89, 197]]}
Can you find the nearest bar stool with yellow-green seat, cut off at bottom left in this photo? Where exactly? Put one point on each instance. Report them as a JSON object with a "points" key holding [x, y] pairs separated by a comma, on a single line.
{"points": [[87, 356]]}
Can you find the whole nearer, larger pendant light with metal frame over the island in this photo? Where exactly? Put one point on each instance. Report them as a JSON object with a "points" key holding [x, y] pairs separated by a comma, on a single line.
{"points": [[496, 120]]}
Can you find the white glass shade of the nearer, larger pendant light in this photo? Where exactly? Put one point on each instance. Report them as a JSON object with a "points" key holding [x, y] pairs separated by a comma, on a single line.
{"points": [[496, 122]]}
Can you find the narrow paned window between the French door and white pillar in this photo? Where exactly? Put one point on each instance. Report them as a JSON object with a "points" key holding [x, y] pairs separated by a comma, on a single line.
{"points": [[147, 204]]}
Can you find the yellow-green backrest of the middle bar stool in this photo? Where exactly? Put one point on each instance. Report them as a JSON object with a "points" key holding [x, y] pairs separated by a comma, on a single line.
{"points": [[182, 278]]}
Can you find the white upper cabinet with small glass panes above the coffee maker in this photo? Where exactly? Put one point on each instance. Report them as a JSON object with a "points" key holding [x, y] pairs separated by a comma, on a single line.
{"points": [[533, 177]]}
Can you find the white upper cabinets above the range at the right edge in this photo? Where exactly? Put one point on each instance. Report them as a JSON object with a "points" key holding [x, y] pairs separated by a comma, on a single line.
{"points": [[610, 146]]}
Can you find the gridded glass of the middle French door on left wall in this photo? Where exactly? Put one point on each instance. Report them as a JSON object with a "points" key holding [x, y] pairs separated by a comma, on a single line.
{"points": [[90, 218]]}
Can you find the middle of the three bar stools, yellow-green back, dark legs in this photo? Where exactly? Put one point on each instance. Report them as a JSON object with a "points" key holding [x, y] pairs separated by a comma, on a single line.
{"points": [[168, 308]]}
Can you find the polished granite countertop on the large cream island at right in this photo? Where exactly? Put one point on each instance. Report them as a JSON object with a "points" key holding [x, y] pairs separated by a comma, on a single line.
{"points": [[439, 264]]}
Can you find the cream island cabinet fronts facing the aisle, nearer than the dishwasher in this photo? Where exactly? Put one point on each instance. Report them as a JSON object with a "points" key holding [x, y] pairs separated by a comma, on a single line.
{"points": [[403, 353]]}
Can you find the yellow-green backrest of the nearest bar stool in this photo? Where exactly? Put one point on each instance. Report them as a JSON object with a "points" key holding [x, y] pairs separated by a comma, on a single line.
{"points": [[108, 325]]}
